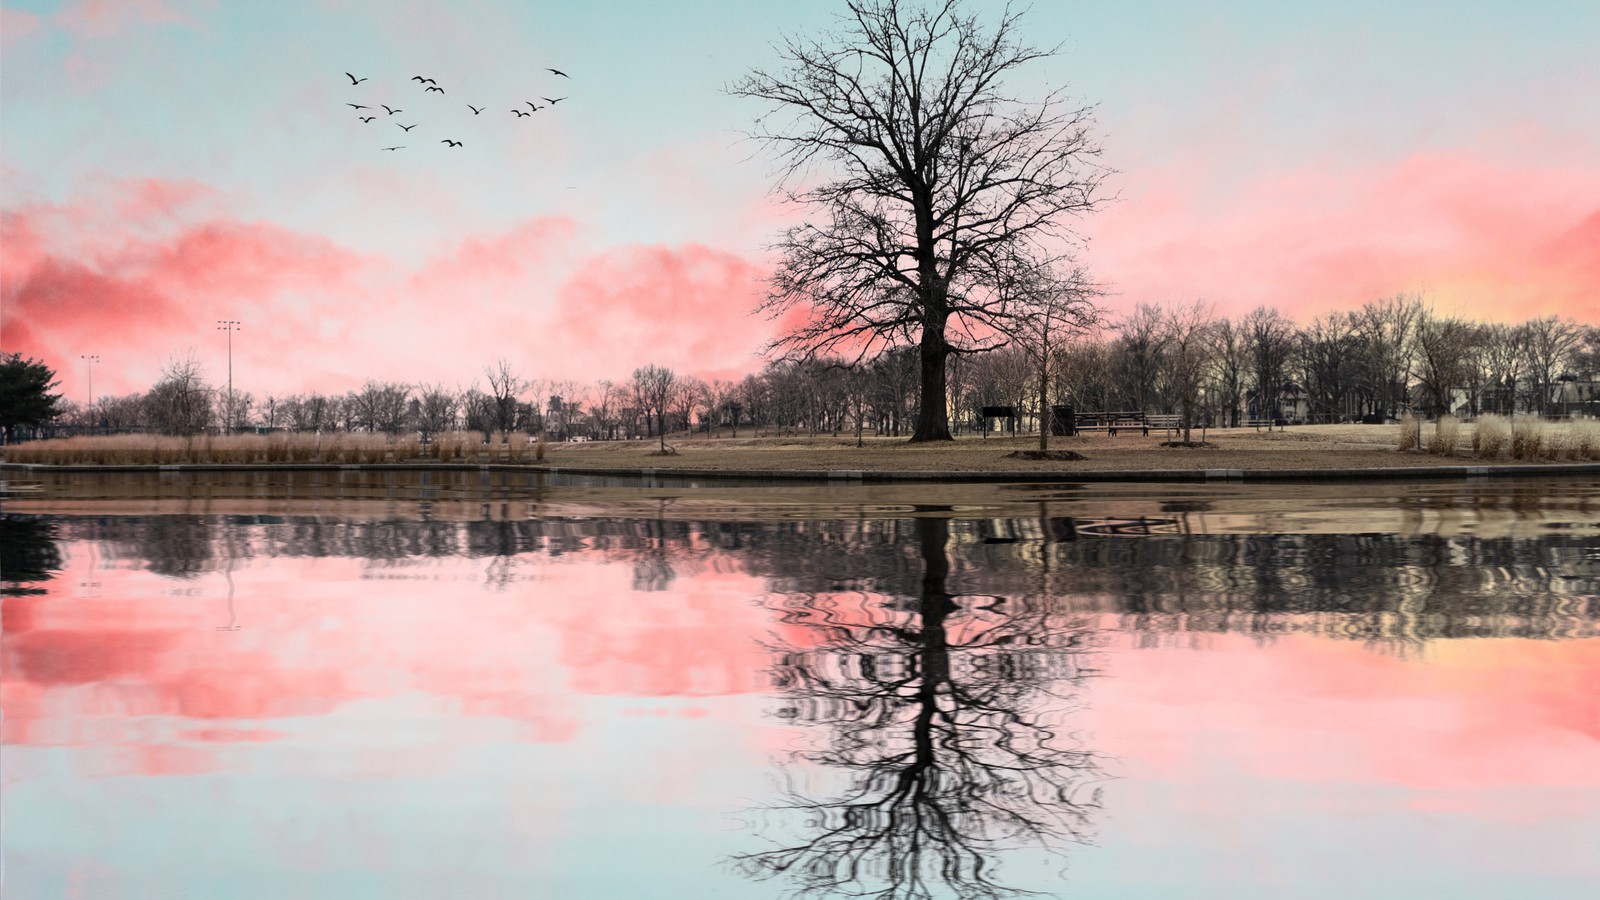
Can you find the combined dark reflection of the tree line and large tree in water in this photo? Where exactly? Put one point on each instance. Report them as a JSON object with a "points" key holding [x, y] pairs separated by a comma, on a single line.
{"points": [[934, 659]]}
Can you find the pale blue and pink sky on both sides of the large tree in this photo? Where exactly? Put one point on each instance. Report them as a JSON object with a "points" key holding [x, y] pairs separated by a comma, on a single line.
{"points": [[169, 164]]}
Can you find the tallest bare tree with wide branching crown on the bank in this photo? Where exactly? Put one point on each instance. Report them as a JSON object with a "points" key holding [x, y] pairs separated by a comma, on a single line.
{"points": [[940, 175]]}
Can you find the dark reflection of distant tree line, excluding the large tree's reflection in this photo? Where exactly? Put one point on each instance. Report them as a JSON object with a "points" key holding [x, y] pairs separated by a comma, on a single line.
{"points": [[1364, 587]]}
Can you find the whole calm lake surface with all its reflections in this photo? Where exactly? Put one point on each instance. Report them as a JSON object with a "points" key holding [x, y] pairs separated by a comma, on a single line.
{"points": [[479, 686]]}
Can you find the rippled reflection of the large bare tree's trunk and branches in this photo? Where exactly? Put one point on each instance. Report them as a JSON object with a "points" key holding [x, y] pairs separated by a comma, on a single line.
{"points": [[943, 712]]}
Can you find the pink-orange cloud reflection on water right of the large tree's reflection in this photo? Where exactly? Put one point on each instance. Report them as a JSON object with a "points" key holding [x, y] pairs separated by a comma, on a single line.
{"points": [[1465, 717]]}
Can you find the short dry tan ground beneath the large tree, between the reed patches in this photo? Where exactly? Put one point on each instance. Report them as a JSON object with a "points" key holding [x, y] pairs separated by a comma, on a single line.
{"points": [[1298, 448]]}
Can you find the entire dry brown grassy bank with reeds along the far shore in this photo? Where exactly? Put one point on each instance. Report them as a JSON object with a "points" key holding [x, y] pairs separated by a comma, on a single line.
{"points": [[1300, 448]]}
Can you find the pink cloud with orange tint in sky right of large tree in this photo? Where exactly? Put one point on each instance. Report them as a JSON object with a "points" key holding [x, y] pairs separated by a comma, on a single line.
{"points": [[1486, 239]]}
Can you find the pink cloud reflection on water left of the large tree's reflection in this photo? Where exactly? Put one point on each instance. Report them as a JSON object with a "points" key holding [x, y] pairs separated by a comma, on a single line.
{"points": [[143, 672]]}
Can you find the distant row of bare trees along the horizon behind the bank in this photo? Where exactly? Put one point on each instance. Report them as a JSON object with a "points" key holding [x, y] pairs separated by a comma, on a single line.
{"points": [[1370, 364]]}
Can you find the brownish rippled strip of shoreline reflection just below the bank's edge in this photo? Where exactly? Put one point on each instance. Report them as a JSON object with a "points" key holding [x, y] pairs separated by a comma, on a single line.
{"points": [[1502, 508]]}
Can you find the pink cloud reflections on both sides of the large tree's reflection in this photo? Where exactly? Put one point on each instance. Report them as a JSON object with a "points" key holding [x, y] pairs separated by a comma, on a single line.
{"points": [[142, 673]]}
